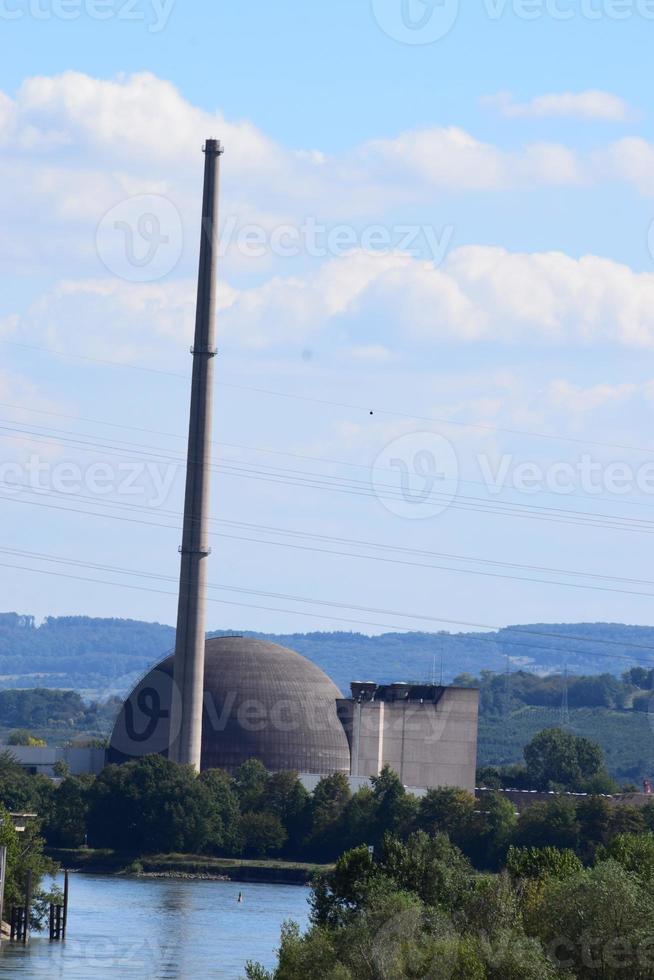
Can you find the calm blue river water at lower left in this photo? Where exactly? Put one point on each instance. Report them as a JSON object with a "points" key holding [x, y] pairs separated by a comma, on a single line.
{"points": [[160, 928]]}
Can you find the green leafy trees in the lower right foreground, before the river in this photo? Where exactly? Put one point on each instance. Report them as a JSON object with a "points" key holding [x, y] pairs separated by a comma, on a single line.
{"points": [[418, 909]]}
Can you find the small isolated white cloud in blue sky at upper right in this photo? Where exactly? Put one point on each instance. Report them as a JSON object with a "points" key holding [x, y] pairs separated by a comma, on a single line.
{"points": [[592, 104]]}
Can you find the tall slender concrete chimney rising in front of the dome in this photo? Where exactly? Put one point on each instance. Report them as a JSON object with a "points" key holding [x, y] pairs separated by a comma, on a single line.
{"points": [[186, 708]]}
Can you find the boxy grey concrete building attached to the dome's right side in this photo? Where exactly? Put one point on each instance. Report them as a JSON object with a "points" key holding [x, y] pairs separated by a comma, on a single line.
{"points": [[428, 745]]}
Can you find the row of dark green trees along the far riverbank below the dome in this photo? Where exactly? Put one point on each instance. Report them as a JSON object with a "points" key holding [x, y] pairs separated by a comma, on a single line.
{"points": [[153, 806]]}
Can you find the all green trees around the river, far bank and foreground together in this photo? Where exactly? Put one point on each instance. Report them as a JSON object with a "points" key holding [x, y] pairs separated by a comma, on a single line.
{"points": [[443, 886]]}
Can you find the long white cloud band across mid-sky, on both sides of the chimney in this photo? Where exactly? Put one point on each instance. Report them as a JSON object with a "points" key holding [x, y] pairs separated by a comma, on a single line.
{"points": [[370, 304]]}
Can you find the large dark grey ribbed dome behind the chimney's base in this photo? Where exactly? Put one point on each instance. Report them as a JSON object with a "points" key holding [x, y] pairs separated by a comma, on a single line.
{"points": [[261, 701]]}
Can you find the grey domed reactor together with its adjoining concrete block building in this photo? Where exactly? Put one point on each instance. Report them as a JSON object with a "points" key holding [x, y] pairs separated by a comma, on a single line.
{"points": [[263, 701]]}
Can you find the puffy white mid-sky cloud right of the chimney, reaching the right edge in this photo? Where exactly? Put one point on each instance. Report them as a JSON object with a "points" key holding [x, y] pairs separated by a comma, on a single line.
{"points": [[480, 294]]}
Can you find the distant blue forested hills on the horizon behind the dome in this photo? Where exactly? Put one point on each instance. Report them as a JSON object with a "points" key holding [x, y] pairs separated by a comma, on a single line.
{"points": [[103, 656]]}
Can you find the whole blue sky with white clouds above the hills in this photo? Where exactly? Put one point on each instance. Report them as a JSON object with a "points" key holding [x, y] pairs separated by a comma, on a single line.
{"points": [[454, 235]]}
